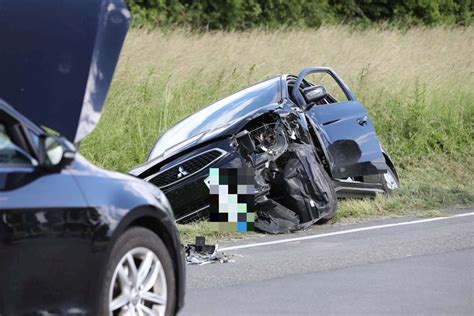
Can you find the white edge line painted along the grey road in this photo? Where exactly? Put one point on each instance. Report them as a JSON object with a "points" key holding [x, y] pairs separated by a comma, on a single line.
{"points": [[343, 232]]}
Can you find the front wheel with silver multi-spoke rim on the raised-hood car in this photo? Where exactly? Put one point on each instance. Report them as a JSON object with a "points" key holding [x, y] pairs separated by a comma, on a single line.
{"points": [[121, 287]]}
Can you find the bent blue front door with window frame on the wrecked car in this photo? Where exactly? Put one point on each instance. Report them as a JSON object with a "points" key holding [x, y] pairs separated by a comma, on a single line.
{"points": [[344, 129]]}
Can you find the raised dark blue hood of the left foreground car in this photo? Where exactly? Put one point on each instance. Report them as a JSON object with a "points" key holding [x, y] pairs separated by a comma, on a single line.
{"points": [[57, 59]]}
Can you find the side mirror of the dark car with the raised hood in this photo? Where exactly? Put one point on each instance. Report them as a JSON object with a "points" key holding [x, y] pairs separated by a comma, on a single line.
{"points": [[55, 152]]}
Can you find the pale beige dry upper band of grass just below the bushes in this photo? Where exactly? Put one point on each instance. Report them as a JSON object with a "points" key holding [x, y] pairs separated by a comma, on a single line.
{"points": [[434, 56]]}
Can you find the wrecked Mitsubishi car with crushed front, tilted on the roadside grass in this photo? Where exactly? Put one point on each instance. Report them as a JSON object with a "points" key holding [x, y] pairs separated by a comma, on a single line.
{"points": [[306, 147]]}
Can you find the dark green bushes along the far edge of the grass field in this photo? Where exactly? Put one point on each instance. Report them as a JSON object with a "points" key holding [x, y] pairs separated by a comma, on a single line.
{"points": [[244, 14]]}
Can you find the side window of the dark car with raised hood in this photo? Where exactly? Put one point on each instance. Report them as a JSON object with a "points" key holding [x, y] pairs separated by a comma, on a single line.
{"points": [[11, 154]]}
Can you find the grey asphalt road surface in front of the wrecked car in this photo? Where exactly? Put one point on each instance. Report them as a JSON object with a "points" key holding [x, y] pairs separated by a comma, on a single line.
{"points": [[417, 269]]}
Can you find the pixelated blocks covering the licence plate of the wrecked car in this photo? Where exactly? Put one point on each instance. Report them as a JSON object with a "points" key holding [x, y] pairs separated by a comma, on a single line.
{"points": [[232, 195]]}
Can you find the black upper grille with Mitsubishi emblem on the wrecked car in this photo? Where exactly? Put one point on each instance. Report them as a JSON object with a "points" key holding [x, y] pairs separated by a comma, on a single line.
{"points": [[186, 168]]}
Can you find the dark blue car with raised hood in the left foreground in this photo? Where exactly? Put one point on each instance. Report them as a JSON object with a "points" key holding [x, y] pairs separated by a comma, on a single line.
{"points": [[75, 239]]}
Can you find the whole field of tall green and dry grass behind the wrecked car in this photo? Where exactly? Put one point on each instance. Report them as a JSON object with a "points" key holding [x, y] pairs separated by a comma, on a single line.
{"points": [[417, 85]]}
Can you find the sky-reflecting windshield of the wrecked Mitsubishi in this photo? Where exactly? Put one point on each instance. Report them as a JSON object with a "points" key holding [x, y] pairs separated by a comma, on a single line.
{"points": [[219, 114]]}
